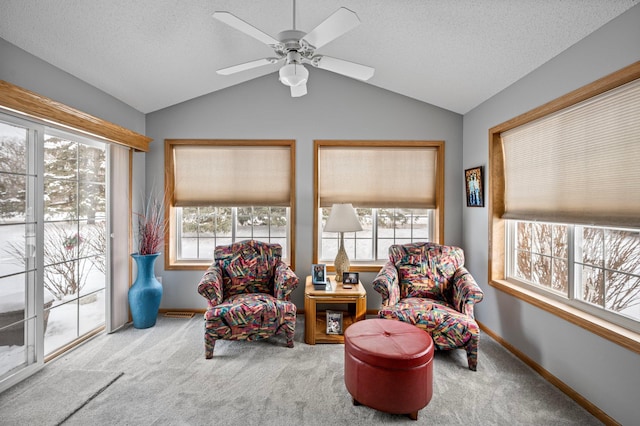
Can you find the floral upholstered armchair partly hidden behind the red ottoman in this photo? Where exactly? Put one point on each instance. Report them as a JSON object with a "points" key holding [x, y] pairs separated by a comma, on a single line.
{"points": [[427, 285]]}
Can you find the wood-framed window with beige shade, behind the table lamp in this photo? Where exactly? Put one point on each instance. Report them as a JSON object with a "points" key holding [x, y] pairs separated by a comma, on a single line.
{"points": [[402, 204]]}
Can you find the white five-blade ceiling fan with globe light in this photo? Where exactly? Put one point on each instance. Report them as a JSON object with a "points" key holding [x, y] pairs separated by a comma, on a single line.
{"points": [[297, 48]]}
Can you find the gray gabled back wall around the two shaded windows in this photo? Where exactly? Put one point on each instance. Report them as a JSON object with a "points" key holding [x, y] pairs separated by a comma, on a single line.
{"points": [[335, 107]]}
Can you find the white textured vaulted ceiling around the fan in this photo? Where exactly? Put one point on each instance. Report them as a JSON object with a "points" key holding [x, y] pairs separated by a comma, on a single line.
{"points": [[152, 54]]}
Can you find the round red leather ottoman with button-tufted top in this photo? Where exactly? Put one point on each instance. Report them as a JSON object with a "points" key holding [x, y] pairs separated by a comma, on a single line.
{"points": [[388, 366]]}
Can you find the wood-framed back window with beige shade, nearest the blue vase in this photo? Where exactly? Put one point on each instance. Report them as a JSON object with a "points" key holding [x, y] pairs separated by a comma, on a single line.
{"points": [[222, 191]]}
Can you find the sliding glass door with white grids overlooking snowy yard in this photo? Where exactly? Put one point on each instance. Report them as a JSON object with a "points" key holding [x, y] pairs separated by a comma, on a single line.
{"points": [[53, 242]]}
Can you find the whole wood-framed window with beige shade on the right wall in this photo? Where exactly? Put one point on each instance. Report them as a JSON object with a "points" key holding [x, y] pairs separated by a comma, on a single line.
{"points": [[565, 207]]}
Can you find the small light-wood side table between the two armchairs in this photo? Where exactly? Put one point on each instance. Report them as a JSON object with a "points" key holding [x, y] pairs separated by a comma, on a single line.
{"points": [[315, 322]]}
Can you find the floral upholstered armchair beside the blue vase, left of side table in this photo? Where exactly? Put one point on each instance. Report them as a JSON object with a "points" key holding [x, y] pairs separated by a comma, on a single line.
{"points": [[248, 289]]}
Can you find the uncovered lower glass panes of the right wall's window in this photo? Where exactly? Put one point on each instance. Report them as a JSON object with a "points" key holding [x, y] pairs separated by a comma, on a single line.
{"points": [[596, 269]]}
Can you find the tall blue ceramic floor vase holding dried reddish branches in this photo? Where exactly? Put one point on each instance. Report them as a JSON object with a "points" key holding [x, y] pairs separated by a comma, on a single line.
{"points": [[145, 293]]}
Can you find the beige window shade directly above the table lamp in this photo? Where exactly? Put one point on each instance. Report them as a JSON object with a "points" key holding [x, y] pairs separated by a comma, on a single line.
{"points": [[370, 176]]}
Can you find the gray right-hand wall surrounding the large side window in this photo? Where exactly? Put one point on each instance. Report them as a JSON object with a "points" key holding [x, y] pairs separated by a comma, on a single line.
{"points": [[601, 371]]}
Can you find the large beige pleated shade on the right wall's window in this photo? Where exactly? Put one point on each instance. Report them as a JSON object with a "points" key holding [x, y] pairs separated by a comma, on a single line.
{"points": [[579, 165]]}
